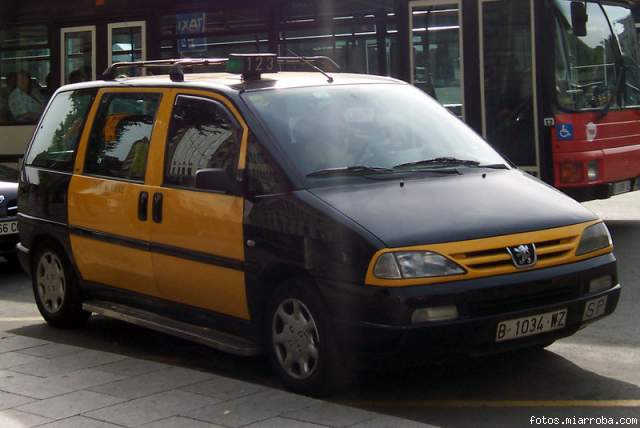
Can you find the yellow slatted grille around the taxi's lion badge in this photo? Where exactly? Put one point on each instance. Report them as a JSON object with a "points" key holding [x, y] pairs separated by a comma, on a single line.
{"points": [[549, 252]]}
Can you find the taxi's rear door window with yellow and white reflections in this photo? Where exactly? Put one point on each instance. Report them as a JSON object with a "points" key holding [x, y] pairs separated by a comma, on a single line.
{"points": [[121, 134]]}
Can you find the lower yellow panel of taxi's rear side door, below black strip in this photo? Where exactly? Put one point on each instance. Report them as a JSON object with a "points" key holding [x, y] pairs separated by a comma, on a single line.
{"points": [[127, 268]]}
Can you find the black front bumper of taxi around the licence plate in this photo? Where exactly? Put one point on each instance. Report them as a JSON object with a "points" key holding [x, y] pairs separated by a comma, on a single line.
{"points": [[482, 305]]}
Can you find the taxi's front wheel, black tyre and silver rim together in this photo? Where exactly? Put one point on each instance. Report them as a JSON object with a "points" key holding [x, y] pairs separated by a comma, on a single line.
{"points": [[300, 347]]}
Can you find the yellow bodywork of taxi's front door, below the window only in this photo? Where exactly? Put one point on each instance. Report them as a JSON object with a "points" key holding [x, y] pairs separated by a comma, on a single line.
{"points": [[206, 223]]}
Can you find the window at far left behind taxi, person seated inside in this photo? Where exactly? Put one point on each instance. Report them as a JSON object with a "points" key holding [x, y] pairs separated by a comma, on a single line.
{"points": [[25, 74]]}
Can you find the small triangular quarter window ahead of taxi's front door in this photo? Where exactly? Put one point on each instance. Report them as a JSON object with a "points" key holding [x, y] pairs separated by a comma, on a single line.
{"points": [[264, 176]]}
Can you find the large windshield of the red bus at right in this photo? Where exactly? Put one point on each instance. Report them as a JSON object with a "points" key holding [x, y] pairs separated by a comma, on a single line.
{"points": [[587, 68]]}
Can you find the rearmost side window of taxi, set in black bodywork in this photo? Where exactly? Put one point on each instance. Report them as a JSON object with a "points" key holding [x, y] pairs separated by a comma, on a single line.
{"points": [[54, 146]]}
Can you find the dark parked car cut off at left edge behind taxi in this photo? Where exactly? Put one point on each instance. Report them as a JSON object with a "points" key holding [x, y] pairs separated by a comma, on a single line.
{"points": [[8, 213]]}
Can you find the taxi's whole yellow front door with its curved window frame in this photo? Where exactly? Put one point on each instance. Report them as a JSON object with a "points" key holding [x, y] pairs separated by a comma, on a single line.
{"points": [[207, 224]]}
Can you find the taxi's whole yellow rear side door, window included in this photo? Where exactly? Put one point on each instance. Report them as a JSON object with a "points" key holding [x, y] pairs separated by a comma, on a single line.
{"points": [[110, 242]]}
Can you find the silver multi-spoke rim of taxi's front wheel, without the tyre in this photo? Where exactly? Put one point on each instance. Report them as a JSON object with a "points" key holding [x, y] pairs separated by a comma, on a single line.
{"points": [[295, 339]]}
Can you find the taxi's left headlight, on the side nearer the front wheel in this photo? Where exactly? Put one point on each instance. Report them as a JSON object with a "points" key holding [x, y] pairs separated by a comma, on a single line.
{"points": [[414, 264]]}
